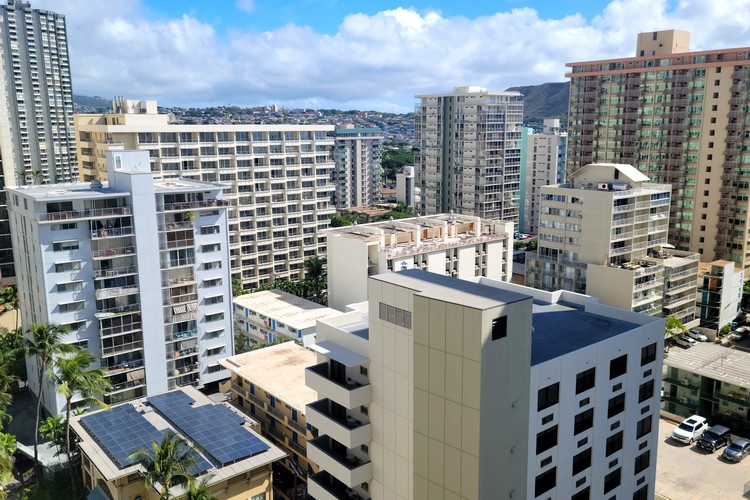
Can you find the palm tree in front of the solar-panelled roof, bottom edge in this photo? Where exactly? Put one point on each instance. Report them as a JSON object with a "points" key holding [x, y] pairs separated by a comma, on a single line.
{"points": [[166, 463]]}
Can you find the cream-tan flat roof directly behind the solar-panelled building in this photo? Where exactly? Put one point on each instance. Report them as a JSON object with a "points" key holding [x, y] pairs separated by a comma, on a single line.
{"points": [[279, 370]]}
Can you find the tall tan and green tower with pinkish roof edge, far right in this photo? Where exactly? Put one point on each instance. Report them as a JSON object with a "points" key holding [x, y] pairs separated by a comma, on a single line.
{"points": [[681, 118]]}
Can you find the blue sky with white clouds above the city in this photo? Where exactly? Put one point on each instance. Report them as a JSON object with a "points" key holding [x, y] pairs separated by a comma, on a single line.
{"points": [[359, 54]]}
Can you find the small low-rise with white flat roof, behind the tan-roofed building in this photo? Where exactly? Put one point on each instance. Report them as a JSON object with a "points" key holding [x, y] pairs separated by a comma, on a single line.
{"points": [[270, 315]]}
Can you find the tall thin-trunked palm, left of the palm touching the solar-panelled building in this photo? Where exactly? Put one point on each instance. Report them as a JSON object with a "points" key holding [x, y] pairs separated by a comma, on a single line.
{"points": [[44, 343]]}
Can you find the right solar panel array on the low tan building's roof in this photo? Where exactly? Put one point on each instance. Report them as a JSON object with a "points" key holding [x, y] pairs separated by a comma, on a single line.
{"points": [[214, 427]]}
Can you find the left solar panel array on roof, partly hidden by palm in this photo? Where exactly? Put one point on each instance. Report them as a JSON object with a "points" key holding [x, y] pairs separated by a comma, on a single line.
{"points": [[123, 430]]}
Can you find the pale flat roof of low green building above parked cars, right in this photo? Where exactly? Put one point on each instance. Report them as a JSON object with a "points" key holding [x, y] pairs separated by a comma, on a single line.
{"points": [[714, 361]]}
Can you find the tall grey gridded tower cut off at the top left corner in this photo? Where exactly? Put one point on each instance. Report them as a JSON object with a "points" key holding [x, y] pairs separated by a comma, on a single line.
{"points": [[37, 143]]}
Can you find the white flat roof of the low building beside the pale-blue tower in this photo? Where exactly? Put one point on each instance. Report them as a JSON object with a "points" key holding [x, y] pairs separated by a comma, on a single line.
{"points": [[289, 309]]}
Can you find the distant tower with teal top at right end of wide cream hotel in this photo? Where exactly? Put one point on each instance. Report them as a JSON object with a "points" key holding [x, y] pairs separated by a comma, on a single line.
{"points": [[357, 175]]}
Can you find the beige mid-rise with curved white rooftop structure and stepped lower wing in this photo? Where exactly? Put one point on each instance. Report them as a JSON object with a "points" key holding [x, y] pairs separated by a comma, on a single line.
{"points": [[604, 233]]}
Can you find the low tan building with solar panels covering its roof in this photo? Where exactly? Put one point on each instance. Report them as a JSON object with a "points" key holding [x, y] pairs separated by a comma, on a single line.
{"points": [[230, 456]]}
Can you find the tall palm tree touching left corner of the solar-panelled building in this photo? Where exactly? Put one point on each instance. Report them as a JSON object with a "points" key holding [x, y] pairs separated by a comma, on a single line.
{"points": [[73, 377]]}
